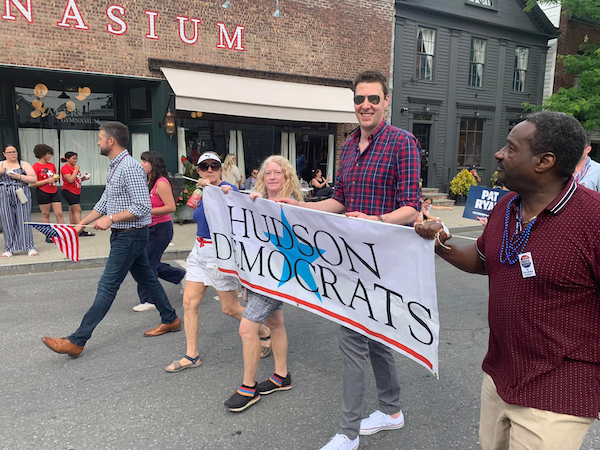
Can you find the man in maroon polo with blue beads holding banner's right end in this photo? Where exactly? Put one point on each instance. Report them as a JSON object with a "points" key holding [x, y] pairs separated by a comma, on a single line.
{"points": [[541, 387]]}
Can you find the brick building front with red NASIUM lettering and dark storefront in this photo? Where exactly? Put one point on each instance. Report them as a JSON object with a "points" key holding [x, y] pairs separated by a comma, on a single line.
{"points": [[70, 65]]}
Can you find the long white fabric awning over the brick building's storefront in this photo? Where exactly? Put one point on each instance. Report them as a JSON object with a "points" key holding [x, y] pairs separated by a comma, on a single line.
{"points": [[251, 97]]}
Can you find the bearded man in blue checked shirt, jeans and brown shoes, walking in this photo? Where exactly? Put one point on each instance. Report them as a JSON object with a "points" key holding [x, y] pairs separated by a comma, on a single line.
{"points": [[124, 208]]}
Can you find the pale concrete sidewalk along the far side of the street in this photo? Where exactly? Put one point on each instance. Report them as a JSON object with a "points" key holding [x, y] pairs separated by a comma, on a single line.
{"points": [[94, 250]]}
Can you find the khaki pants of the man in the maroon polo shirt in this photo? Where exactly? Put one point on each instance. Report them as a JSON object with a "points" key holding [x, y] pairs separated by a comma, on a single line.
{"points": [[503, 426]]}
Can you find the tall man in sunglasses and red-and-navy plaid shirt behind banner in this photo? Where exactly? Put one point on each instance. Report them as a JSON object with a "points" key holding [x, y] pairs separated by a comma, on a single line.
{"points": [[378, 179]]}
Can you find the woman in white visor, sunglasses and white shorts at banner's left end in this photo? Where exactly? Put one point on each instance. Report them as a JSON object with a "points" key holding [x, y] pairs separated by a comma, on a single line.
{"points": [[202, 271]]}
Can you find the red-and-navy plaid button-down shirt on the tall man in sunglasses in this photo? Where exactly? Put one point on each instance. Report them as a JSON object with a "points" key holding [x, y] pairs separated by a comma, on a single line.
{"points": [[384, 177]]}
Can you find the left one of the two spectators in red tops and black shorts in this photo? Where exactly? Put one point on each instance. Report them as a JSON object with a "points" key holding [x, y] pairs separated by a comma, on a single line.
{"points": [[46, 192]]}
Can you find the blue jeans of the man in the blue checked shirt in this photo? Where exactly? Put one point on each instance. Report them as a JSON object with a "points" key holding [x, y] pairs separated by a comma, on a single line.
{"points": [[127, 254]]}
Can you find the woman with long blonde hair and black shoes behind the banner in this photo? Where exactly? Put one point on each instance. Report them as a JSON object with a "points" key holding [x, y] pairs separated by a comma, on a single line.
{"points": [[276, 179]]}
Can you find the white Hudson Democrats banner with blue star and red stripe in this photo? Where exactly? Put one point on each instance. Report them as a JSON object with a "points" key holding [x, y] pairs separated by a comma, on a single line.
{"points": [[376, 279]]}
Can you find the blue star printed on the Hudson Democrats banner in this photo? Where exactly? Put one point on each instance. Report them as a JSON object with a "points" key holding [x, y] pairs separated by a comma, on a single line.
{"points": [[299, 265]]}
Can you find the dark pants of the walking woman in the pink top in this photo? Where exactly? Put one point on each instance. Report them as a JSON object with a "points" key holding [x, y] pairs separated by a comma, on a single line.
{"points": [[160, 236]]}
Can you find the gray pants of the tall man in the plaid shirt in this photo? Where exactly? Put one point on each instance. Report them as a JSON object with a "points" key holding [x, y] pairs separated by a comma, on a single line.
{"points": [[357, 349]]}
